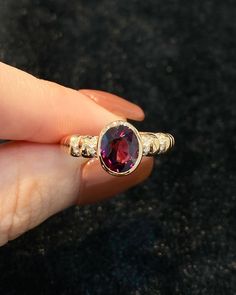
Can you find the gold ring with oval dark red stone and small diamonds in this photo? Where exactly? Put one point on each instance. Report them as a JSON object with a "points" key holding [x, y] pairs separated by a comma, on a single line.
{"points": [[120, 147]]}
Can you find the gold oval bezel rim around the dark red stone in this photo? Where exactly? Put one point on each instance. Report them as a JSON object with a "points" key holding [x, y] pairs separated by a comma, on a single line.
{"points": [[140, 147]]}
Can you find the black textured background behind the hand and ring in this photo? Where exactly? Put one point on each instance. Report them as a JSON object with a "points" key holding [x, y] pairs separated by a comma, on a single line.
{"points": [[175, 234]]}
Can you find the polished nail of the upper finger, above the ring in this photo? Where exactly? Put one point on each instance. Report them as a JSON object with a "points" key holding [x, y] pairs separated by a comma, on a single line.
{"points": [[115, 104]]}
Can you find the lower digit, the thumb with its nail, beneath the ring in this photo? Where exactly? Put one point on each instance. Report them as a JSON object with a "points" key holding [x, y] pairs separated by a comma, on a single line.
{"points": [[40, 180]]}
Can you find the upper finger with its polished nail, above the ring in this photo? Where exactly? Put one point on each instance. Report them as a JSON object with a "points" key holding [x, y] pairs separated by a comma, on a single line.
{"points": [[42, 111]]}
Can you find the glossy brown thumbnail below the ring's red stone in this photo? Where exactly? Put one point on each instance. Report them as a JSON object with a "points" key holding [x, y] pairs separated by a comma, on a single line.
{"points": [[97, 184]]}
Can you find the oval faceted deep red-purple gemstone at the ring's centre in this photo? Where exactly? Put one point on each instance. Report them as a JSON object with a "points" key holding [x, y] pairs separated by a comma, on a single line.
{"points": [[119, 148]]}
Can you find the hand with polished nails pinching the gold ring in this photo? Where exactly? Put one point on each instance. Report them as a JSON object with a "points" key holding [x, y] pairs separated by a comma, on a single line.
{"points": [[37, 179]]}
